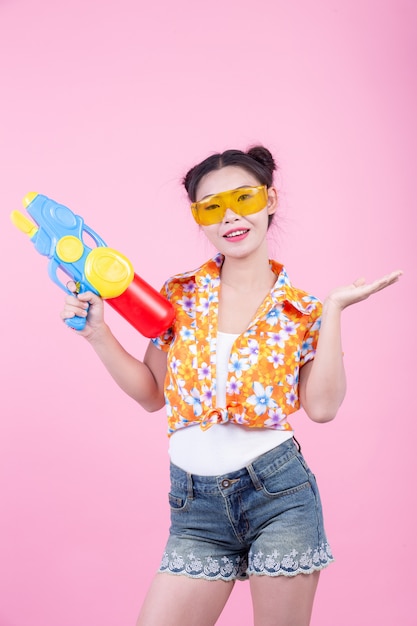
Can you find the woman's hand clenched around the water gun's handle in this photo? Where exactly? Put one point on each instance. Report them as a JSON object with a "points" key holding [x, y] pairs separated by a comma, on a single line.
{"points": [[87, 305]]}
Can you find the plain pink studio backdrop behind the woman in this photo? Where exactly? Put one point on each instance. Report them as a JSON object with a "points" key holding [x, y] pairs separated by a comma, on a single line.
{"points": [[104, 106]]}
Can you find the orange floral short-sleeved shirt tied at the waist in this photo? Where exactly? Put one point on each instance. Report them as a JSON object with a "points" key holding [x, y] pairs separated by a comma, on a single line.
{"points": [[264, 364]]}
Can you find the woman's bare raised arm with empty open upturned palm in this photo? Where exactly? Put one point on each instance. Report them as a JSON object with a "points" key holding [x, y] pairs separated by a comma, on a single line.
{"points": [[323, 381]]}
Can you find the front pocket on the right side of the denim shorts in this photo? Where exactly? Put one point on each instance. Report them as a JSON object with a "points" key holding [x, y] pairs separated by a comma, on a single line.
{"points": [[288, 479]]}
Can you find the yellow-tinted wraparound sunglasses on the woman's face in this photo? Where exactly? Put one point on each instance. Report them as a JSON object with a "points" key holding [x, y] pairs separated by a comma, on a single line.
{"points": [[242, 201]]}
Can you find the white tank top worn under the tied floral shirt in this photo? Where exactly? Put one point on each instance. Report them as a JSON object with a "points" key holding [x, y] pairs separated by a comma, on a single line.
{"points": [[222, 448]]}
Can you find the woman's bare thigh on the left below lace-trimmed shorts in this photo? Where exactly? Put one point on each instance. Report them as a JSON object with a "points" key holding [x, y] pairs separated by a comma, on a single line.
{"points": [[182, 601]]}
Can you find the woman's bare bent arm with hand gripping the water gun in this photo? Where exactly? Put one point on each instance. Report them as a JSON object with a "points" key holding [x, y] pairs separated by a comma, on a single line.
{"points": [[142, 381]]}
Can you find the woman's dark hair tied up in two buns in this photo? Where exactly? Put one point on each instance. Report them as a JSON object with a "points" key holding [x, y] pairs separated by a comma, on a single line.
{"points": [[257, 160]]}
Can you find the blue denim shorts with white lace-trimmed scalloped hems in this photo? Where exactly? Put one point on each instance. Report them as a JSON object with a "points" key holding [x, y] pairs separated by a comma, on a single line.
{"points": [[265, 519]]}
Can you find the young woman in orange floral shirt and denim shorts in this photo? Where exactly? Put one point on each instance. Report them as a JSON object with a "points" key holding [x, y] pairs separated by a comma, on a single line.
{"points": [[246, 347]]}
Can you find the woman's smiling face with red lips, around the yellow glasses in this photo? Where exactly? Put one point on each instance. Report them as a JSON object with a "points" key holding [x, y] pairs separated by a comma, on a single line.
{"points": [[236, 235]]}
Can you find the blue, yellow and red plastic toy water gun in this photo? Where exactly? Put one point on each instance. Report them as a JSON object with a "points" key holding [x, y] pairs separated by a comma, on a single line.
{"points": [[58, 235]]}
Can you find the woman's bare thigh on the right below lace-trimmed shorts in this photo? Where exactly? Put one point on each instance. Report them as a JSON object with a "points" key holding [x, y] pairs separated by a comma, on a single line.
{"points": [[283, 600]]}
